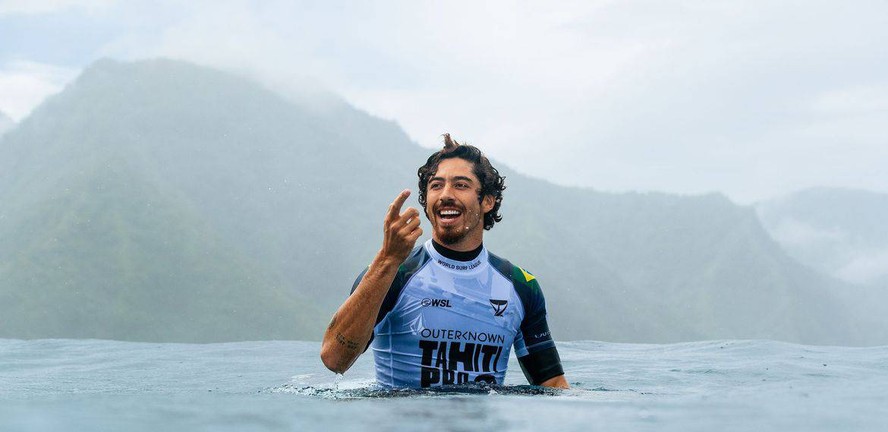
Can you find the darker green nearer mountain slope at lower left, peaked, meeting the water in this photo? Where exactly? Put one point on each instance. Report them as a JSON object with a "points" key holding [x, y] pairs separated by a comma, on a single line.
{"points": [[144, 267]]}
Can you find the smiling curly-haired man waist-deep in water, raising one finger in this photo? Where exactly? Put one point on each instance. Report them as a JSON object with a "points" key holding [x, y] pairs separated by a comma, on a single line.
{"points": [[446, 312]]}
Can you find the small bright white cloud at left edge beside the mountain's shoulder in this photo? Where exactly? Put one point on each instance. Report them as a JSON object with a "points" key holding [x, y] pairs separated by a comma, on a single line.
{"points": [[23, 85]]}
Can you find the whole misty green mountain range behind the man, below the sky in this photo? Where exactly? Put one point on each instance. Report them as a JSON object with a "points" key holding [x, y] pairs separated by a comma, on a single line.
{"points": [[164, 201]]}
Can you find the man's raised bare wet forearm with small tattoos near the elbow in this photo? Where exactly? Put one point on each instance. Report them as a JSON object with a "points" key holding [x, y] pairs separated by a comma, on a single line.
{"points": [[352, 324]]}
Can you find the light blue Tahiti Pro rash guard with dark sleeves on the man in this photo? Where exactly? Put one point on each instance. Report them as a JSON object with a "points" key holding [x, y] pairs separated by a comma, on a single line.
{"points": [[449, 322]]}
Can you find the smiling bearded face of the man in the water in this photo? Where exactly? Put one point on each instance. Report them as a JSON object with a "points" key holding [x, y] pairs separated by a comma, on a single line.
{"points": [[452, 205]]}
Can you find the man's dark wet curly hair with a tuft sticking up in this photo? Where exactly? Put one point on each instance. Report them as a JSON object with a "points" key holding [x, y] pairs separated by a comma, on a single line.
{"points": [[491, 182]]}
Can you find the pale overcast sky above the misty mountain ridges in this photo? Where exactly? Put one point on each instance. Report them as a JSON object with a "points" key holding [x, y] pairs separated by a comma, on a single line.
{"points": [[750, 98]]}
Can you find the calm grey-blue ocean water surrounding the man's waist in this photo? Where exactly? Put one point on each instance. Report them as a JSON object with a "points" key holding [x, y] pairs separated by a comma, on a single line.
{"points": [[94, 385]]}
